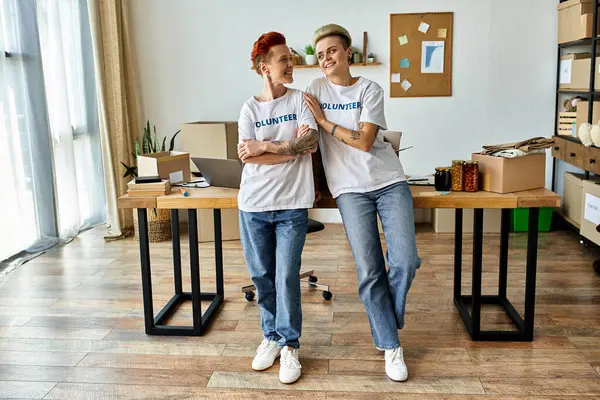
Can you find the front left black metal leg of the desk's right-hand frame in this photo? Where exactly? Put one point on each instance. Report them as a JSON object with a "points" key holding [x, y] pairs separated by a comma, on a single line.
{"points": [[476, 280]]}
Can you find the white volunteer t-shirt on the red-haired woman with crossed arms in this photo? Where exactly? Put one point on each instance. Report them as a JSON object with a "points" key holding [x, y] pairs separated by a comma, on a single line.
{"points": [[283, 186]]}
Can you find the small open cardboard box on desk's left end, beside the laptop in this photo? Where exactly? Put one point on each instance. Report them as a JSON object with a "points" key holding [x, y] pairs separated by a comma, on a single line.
{"points": [[174, 166]]}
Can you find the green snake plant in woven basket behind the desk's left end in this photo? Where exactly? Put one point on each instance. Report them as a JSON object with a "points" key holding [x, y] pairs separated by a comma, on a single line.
{"points": [[159, 220]]}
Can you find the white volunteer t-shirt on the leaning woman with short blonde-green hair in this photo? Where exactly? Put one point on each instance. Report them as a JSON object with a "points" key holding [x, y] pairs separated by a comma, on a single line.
{"points": [[350, 170]]}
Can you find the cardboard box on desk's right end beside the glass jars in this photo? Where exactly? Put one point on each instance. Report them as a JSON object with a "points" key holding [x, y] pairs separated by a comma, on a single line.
{"points": [[506, 175]]}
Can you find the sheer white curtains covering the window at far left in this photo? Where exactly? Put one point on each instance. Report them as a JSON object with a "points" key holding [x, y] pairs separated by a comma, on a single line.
{"points": [[50, 161]]}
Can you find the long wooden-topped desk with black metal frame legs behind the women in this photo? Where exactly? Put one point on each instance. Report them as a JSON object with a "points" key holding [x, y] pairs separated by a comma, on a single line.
{"points": [[424, 197]]}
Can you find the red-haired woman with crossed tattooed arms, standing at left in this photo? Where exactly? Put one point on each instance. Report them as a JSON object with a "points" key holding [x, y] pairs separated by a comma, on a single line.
{"points": [[277, 133]]}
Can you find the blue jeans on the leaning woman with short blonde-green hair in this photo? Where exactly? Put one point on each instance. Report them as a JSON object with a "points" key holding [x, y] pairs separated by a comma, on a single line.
{"points": [[383, 294]]}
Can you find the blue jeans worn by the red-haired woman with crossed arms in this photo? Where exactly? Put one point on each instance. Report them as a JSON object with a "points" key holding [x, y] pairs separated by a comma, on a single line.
{"points": [[273, 242]]}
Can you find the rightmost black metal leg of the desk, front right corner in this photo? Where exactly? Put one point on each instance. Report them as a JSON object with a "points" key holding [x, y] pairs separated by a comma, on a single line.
{"points": [[532, 244]]}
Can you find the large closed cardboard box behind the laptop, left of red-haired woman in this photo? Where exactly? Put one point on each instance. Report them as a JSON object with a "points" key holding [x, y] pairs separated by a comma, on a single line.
{"points": [[210, 140]]}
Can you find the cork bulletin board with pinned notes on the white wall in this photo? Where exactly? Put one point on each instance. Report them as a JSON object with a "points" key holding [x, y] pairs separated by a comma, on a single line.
{"points": [[421, 54]]}
